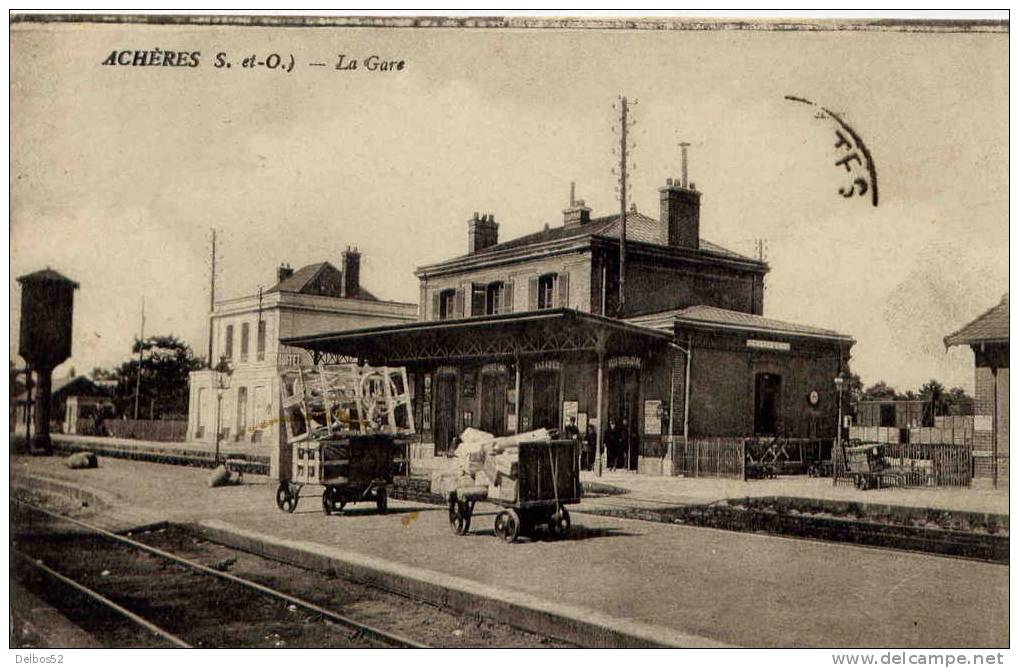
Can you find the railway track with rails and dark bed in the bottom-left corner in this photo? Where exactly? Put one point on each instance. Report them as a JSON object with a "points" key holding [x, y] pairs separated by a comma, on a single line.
{"points": [[250, 608]]}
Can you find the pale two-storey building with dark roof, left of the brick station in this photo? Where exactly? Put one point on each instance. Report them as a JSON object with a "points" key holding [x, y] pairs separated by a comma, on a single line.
{"points": [[247, 333]]}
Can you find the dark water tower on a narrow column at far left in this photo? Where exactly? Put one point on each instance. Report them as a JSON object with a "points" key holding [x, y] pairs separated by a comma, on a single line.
{"points": [[47, 308]]}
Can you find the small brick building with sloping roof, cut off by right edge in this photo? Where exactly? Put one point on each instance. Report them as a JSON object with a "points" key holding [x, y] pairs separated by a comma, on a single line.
{"points": [[989, 339]]}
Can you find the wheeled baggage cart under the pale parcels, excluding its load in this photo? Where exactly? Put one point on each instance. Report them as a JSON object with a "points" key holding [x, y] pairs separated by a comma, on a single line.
{"points": [[548, 480]]}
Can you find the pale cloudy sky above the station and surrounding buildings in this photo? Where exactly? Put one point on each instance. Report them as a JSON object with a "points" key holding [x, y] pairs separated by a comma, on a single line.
{"points": [[120, 174]]}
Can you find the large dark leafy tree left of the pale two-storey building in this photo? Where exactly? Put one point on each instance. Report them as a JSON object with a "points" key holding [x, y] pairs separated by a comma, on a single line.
{"points": [[167, 364]]}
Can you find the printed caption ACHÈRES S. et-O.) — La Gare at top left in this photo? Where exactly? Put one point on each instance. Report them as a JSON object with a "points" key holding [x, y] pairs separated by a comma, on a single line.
{"points": [[171, 59]]}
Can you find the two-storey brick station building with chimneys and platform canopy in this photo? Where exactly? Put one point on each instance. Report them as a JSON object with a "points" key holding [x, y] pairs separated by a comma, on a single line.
{"points": [[532, 332]]}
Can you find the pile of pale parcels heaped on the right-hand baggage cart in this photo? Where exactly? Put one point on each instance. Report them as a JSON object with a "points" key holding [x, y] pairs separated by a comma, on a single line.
{"points": [[487, 466]]}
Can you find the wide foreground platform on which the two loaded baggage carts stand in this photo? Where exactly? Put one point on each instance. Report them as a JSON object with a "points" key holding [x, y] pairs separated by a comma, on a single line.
{"points": [[670, 585]]}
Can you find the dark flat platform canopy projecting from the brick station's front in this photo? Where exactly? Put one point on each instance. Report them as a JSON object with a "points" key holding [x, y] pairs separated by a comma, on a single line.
{"points": [[503, 337]]}
